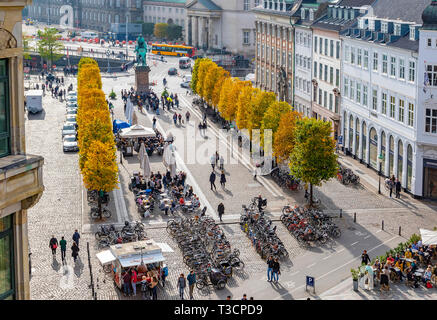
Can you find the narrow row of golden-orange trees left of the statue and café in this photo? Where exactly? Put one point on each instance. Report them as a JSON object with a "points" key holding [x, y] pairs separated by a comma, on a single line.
{"points": [[97, 152]]}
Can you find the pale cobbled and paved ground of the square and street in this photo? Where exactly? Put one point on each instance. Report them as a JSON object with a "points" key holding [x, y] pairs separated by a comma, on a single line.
{"points": [[62, 208]]}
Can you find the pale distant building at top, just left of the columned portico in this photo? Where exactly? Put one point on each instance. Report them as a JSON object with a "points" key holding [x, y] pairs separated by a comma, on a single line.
{"points": [[165, 11]]}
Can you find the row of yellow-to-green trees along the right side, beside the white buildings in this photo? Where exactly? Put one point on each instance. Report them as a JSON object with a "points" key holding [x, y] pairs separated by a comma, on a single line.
{"points": [[305, 144]]}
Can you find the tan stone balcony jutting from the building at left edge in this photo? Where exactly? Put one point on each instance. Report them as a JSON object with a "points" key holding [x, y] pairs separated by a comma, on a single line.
{"points": [[21, 180]]}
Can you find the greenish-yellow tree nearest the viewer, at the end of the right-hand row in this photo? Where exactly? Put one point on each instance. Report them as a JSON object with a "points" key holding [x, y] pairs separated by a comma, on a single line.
{"points": [[313, 159]]}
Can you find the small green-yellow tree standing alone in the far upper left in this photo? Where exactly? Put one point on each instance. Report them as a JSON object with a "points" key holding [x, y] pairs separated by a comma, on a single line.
{"points": [[48, 45]]}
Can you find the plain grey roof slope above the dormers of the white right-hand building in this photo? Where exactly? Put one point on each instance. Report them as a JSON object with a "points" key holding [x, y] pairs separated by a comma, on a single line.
{"points": [[405, 10]]}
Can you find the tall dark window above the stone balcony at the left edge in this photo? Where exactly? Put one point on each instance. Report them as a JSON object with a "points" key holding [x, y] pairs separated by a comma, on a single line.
{"points": [[4, 109]]}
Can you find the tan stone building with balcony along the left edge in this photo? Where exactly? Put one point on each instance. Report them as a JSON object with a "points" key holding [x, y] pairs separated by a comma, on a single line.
{"points": [[20, 173]]}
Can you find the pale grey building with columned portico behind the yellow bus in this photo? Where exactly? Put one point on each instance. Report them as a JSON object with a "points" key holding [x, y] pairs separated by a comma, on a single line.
{"points": [[222, 24]]}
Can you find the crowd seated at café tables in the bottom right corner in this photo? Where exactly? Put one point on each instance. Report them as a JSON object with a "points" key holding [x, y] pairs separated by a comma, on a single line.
{"points": [[403, 266]]}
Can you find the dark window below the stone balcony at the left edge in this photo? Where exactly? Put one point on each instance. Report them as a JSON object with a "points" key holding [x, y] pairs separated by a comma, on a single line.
{"points": [[7, 282]]}
